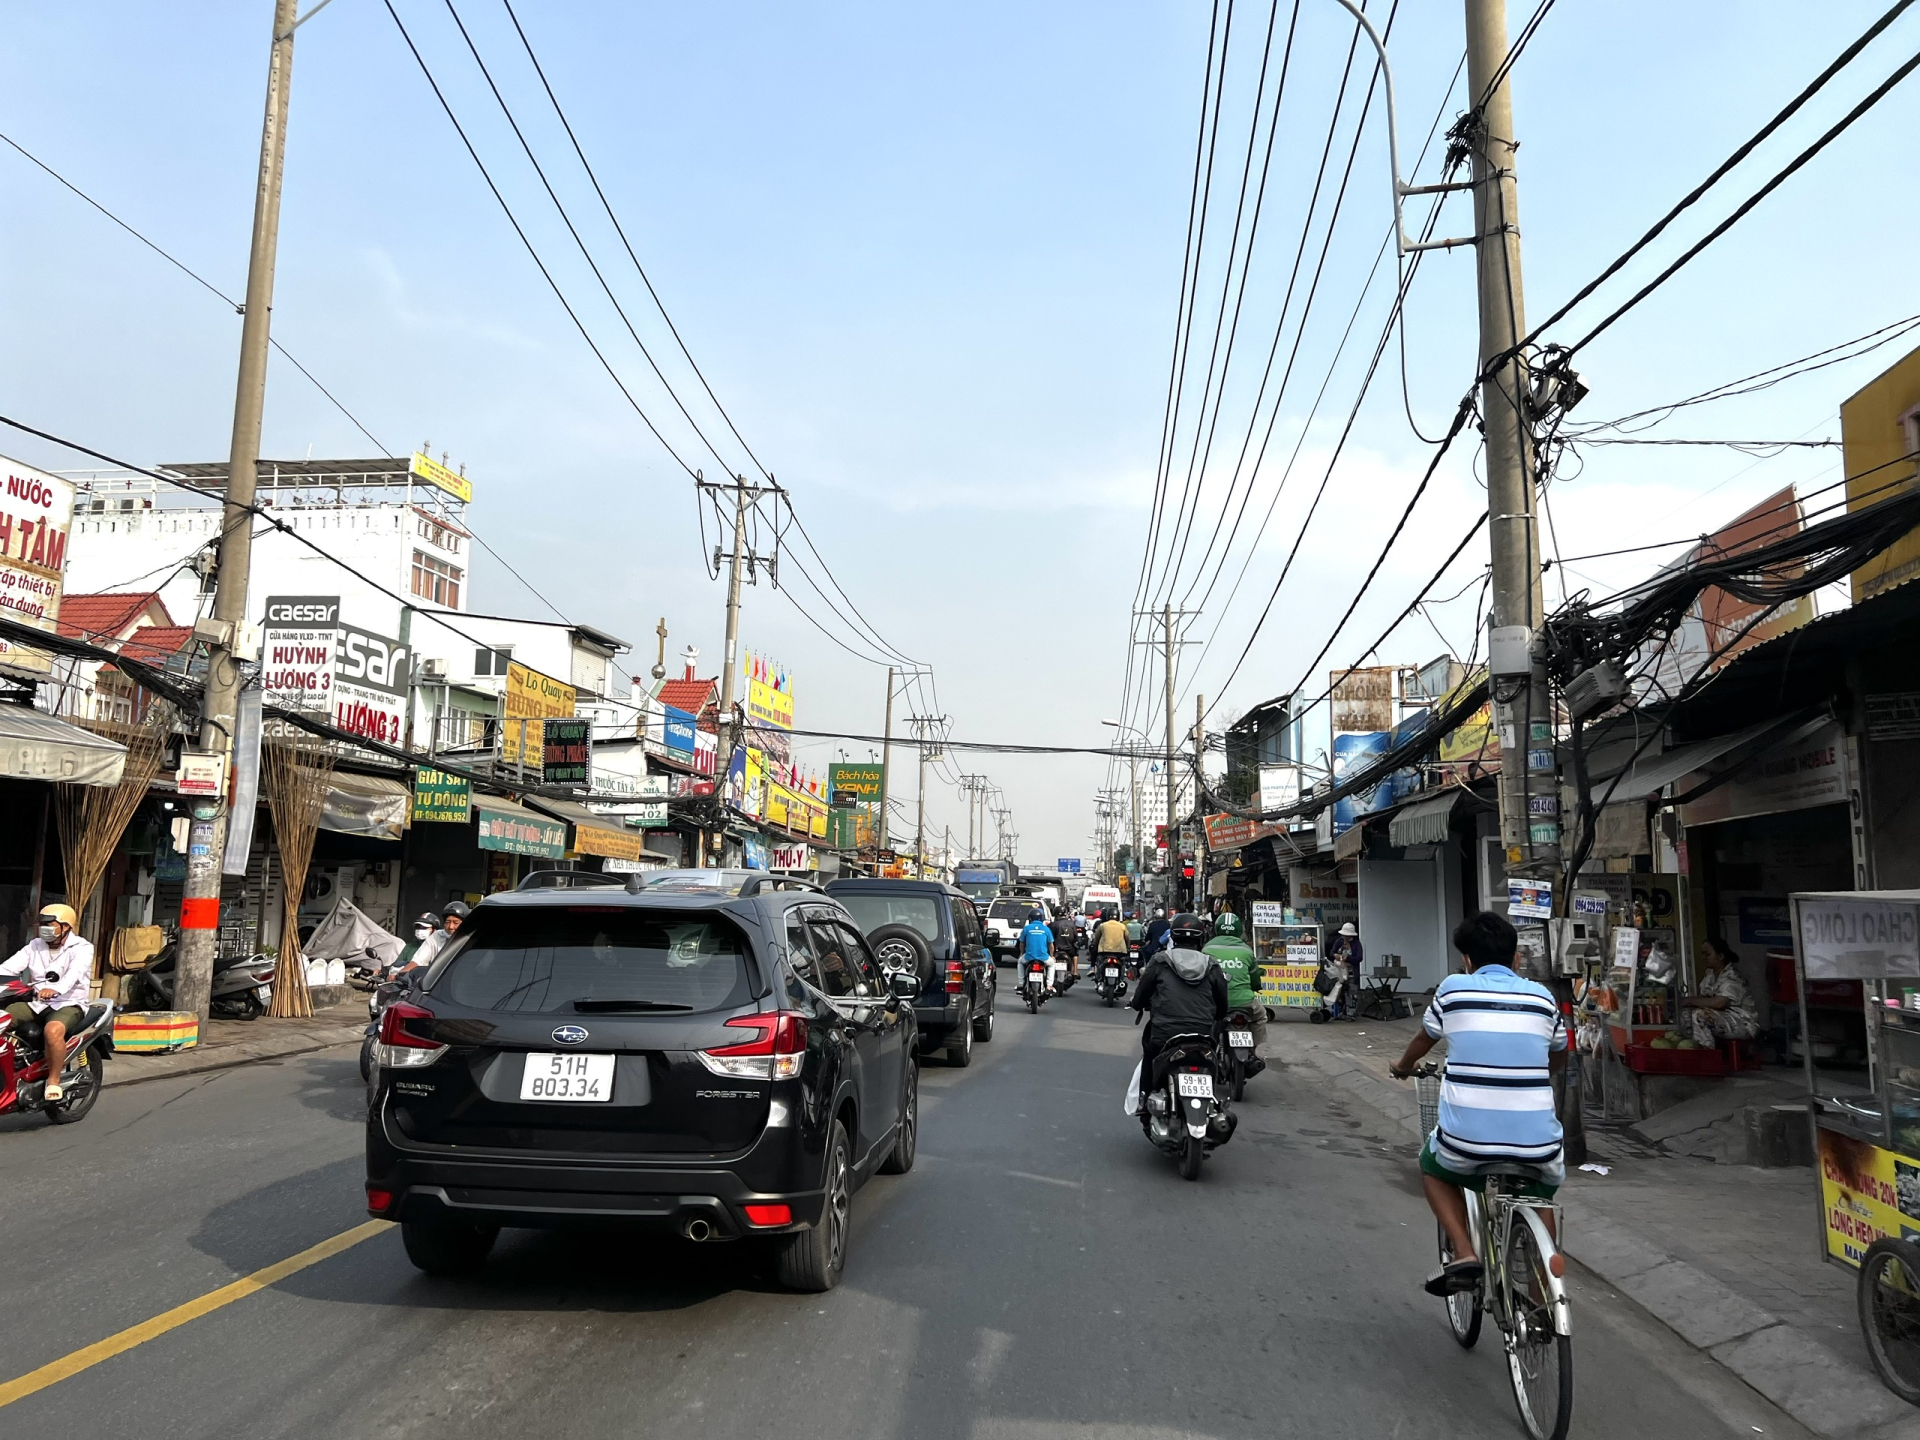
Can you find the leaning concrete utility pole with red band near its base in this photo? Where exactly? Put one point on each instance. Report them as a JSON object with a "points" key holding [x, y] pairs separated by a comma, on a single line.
{"points": [[201, 905]]}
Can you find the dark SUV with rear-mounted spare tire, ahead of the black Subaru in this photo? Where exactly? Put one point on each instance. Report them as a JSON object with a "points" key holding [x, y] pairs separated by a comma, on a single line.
{"points": [[934, 932]]}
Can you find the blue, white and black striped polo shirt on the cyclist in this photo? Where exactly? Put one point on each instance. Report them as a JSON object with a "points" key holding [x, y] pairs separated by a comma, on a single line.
{"points": [[1497, 1097]]}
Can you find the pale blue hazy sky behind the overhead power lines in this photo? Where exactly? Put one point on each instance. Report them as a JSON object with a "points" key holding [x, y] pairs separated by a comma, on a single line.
{"points": [[928, 258]]}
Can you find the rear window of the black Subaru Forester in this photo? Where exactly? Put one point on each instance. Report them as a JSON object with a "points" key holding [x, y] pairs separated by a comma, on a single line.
{"points": [[596, 961]]}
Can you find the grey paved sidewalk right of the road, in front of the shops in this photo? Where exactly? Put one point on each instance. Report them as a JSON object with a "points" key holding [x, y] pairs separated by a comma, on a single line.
{"points": [[1727, 1257]]}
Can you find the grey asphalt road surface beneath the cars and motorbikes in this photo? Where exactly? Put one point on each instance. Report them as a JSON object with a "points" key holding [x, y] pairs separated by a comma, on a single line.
{"points": [[1044, 1274]]}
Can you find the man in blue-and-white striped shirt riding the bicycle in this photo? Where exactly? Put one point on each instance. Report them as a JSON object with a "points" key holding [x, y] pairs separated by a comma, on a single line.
{"points": [[1506, 1040]]}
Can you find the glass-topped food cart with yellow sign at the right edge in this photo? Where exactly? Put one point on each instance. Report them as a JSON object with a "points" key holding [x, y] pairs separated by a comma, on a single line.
{"points": [[1867, 1122]]}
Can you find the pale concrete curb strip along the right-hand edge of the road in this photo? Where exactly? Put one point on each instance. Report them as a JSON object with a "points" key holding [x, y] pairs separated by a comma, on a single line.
{"points": [[1792, 1370]]}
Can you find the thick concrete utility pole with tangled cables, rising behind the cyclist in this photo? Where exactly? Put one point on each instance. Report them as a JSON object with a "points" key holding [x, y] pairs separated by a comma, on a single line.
{"points": [[1525, 706]]}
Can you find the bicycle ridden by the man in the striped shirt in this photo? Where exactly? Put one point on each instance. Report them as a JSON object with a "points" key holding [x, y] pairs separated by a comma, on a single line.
{"points": [[1522, 1284]]}
